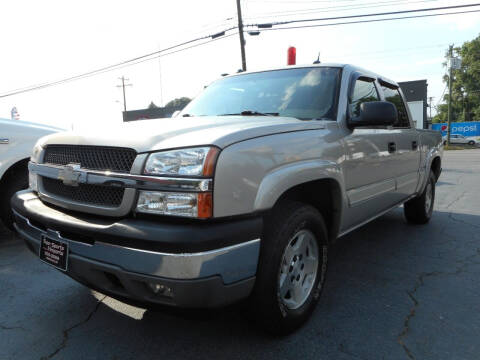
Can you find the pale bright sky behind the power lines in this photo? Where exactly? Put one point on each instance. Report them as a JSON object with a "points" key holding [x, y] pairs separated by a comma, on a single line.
{"points": [[50, 40]]}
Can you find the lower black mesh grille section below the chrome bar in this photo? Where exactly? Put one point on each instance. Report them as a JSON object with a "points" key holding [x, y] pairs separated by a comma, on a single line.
{"points": [[84, 193]]}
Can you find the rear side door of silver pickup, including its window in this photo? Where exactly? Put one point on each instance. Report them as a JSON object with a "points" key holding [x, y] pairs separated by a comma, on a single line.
{"points": [[407, 161]]}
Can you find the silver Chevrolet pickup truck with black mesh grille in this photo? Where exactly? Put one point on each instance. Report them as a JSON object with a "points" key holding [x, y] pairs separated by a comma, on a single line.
{"points": [[238, 197]]}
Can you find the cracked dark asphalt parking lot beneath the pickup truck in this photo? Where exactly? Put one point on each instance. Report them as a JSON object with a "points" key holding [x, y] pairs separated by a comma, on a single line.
{"points": [[394, 291]]}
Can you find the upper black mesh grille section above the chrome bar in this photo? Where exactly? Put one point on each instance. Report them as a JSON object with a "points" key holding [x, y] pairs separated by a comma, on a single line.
{"points": [[91, 157]]}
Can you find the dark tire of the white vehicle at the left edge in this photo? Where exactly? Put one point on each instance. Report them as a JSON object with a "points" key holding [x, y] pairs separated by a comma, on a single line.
{"points": [[15, 180]]}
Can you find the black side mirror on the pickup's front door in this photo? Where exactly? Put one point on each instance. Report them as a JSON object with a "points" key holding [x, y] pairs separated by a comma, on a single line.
{"points": [[375, 113]]}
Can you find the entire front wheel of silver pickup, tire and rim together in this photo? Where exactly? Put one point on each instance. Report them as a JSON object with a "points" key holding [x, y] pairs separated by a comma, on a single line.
{"points": [[292, 267]]}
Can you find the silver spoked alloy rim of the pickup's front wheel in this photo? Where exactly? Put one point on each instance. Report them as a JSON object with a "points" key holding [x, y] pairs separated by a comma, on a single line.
{"points": [[298, 269]]}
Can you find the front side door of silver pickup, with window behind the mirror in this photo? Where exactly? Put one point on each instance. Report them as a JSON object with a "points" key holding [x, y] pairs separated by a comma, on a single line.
{"points": [[370, 160]]}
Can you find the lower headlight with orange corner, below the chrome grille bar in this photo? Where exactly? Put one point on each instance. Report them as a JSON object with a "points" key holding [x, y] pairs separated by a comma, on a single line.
{"points": [[197, 205]]}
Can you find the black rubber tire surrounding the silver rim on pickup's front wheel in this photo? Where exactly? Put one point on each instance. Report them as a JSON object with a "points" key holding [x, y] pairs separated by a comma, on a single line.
{"points": [[287, 220]]}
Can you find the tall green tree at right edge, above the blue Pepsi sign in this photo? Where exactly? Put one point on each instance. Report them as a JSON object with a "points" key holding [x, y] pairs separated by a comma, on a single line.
{"points": [[466, 85]]}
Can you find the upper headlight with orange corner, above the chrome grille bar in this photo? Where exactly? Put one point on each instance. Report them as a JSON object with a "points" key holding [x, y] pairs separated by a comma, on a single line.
{"points": [[198, 161]]}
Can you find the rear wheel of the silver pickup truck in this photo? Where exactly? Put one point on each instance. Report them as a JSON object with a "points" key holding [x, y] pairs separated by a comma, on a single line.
{"points": [[417, 211]]}
